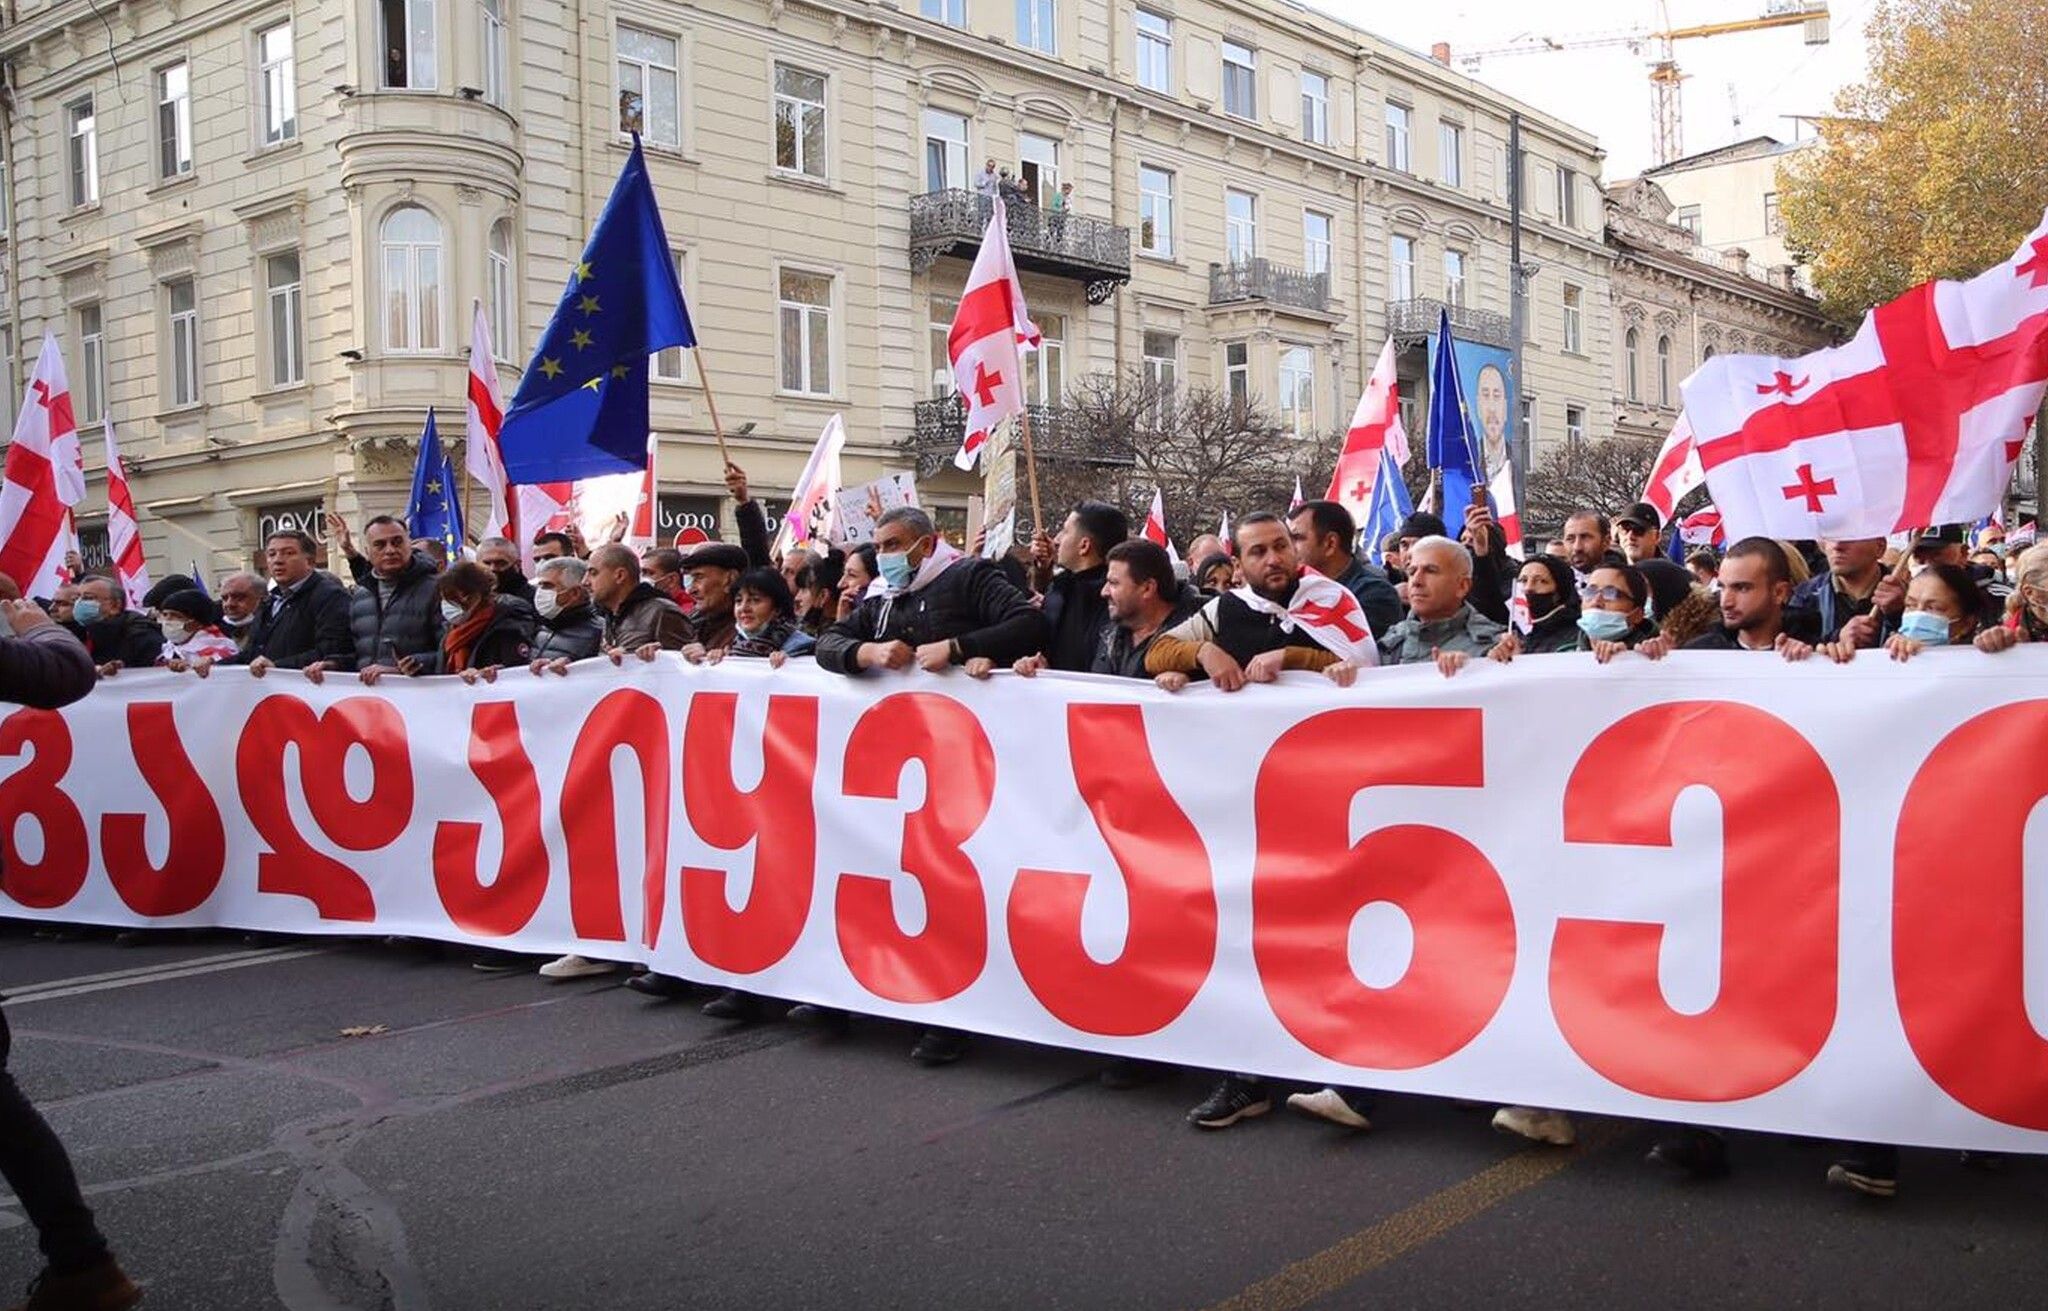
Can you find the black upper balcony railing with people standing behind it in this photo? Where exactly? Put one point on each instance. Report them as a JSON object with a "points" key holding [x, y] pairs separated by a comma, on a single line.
{"points": [[1056, 243]]}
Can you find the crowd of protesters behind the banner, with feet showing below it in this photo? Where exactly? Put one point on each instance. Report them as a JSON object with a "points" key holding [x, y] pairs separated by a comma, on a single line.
{"points": [[1089, 599]]}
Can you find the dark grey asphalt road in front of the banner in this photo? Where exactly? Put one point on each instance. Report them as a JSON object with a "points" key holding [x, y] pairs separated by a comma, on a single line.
{"points": [[507, 1144]]}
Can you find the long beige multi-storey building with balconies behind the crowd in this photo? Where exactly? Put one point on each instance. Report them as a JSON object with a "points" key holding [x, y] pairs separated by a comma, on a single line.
{"points": [[259, 228]]}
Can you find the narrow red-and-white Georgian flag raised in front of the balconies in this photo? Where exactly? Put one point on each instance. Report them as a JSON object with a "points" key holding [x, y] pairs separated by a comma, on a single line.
{"points": [[988, 339]]}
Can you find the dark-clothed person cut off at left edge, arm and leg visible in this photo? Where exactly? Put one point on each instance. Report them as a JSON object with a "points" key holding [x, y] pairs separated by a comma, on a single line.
{"points": [[44, 667]]}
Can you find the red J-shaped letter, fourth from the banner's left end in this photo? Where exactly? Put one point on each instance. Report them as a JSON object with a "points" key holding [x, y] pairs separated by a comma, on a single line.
{"points": [[499, 761]]}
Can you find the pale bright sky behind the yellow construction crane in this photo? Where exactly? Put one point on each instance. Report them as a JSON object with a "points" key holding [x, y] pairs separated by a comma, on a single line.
{"points": [[1607, 91]]}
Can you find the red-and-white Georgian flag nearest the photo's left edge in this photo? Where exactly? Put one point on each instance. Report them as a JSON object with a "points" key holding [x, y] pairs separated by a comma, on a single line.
{"points": [[44, 478]]}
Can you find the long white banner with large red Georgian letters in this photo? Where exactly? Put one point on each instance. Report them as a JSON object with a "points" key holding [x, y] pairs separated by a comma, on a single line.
{"points": [[1717, 888]]}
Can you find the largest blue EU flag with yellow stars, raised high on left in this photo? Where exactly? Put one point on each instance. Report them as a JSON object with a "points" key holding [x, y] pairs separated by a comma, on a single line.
{"points": [[583, 405]]}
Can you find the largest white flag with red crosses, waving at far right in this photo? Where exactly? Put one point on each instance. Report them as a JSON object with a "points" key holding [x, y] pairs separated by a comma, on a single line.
{"points": [[1914, 423]]}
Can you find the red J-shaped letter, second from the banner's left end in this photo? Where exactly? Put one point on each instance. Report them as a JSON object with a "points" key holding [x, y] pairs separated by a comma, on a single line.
{"points": [[198, 845]]}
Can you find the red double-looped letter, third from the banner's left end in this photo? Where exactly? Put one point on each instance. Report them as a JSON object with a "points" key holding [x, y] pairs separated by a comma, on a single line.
{"points": [[292, 865]]}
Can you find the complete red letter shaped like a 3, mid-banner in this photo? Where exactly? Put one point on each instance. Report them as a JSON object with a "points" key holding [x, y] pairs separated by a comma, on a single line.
{"points": [[959, 784]]}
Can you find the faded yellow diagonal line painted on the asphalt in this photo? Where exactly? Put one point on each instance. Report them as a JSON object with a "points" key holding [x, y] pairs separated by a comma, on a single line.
{"points": [[1426, 1222]]}
